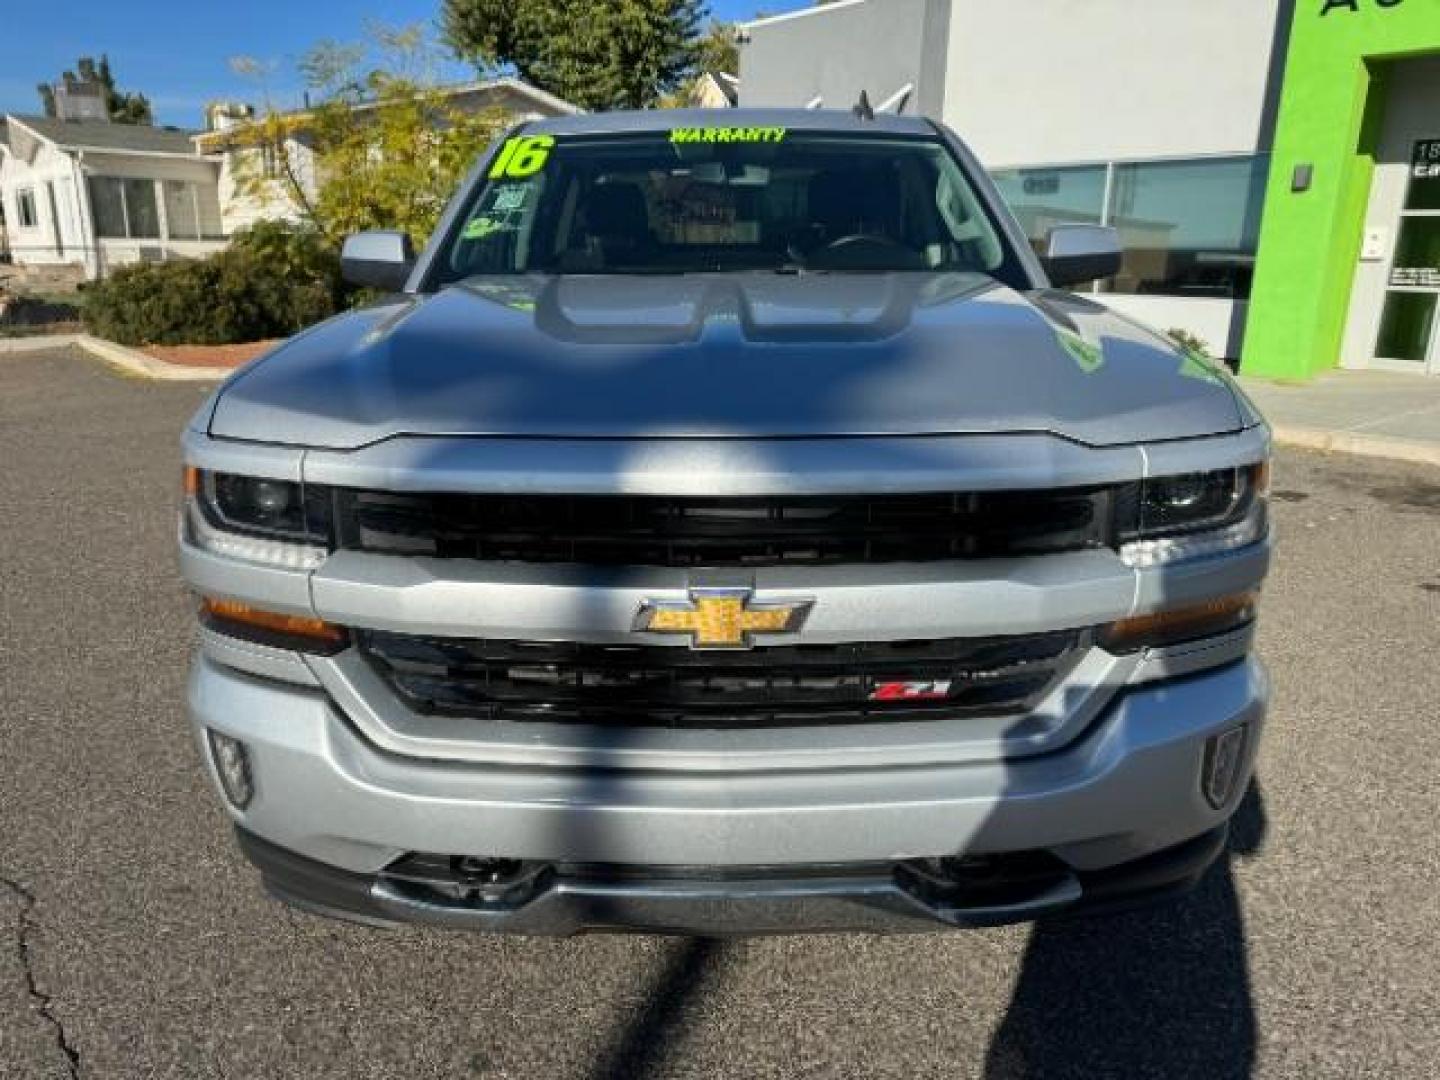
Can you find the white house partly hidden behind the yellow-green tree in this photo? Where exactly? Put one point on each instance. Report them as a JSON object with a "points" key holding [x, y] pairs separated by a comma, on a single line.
{"points": [[251, 182]]}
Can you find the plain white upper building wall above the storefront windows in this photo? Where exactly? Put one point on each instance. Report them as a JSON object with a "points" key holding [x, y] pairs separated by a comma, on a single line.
{"points": [[1072, 81]]}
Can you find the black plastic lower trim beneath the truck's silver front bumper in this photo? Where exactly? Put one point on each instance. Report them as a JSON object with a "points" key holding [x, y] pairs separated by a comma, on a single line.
{"points": [[865, 899]]}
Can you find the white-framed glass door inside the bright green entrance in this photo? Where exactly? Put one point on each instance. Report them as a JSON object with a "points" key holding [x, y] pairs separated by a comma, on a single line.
{"points": [[1410, 318]]}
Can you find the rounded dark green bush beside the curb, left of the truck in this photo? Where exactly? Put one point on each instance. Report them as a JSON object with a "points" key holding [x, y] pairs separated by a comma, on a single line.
{"points": [[273, 282]]}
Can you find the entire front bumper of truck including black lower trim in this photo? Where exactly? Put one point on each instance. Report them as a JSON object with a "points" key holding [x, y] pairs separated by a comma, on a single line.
{"points": [[332, 811]]}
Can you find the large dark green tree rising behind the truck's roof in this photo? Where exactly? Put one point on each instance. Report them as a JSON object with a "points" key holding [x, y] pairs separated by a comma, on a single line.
{"points": [[623, 54]]}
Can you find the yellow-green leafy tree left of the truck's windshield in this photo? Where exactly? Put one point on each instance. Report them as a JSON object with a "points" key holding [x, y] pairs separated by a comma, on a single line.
{"points": [[384, 148]]}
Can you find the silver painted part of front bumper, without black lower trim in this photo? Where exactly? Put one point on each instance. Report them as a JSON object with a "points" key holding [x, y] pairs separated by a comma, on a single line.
{"points": [[1127, 788]]}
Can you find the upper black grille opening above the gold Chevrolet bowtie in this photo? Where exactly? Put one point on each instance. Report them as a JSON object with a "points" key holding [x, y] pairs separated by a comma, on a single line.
{"points": [[650, 531]]}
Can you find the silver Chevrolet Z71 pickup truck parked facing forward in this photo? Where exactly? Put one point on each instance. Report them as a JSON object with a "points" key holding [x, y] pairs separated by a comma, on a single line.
{"points": [[726, 526]]}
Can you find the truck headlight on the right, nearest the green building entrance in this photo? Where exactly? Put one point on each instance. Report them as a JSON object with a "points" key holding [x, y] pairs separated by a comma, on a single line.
{"points": [[1194, 515]]}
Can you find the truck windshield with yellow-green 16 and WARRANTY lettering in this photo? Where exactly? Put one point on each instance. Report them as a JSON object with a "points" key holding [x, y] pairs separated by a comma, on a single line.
{"points": [[725, 201]]}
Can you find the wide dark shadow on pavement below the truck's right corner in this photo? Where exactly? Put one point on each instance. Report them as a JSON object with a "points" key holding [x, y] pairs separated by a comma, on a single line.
{"points": [[1160, 993]]}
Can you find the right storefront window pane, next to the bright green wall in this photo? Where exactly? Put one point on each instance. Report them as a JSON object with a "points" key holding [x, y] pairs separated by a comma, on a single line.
{"points": [[1189, 228]]}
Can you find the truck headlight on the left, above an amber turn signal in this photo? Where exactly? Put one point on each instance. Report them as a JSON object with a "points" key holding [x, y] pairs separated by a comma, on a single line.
{"points": [[260, 521]]}
